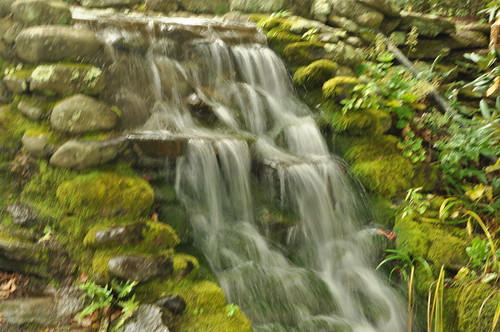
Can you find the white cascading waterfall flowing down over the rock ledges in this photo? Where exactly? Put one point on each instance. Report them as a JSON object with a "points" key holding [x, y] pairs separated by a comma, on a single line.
{"points": [[262, 149]]}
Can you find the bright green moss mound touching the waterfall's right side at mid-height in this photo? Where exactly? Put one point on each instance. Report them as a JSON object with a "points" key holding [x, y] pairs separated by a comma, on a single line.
{"points": [[387, 176]]}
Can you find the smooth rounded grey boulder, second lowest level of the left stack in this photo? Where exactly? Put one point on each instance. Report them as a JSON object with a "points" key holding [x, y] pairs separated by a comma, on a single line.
{"points": [[80, 114]]}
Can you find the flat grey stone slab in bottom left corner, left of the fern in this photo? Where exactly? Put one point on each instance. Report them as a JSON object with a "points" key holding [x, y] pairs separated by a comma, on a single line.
{"points": [[45, 311]]}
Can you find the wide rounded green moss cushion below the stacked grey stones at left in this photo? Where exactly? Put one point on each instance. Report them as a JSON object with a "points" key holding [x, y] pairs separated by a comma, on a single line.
{"points": [[106, 193]]}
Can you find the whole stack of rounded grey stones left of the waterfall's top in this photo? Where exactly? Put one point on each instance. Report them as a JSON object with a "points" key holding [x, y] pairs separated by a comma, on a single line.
{"points": [[57, 83]]}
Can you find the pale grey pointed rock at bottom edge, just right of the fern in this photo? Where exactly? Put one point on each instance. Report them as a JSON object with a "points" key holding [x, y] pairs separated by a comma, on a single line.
{"points": [[148, 317]]}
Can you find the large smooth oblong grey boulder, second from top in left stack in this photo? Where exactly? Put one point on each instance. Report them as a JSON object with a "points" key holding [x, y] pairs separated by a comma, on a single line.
{"points": [[53, 43]]}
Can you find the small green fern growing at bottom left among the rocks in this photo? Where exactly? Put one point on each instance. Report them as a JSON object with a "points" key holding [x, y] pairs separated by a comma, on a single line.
{"points": [[116, 295]]}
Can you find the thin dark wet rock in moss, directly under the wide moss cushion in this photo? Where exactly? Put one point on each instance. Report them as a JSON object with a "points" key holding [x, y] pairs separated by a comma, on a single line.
{"points": [[120, 235]]}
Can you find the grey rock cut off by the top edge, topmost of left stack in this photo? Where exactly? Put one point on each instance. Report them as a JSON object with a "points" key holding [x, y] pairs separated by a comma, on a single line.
{"points": [[40, 12]]}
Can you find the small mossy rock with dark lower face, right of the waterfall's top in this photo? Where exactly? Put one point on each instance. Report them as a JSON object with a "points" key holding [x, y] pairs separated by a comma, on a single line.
{"points": [[314, 75]]}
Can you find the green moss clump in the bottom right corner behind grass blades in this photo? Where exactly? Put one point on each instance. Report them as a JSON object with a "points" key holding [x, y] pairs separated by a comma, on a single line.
{"points": [[476, 307]]}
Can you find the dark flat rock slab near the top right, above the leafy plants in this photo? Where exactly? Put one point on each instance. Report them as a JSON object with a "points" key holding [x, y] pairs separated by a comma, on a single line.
{"points": [[427, 25]]}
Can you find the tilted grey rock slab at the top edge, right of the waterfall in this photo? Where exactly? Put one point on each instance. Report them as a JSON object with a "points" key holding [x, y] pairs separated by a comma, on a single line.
{"points": [[359, 13]]}
